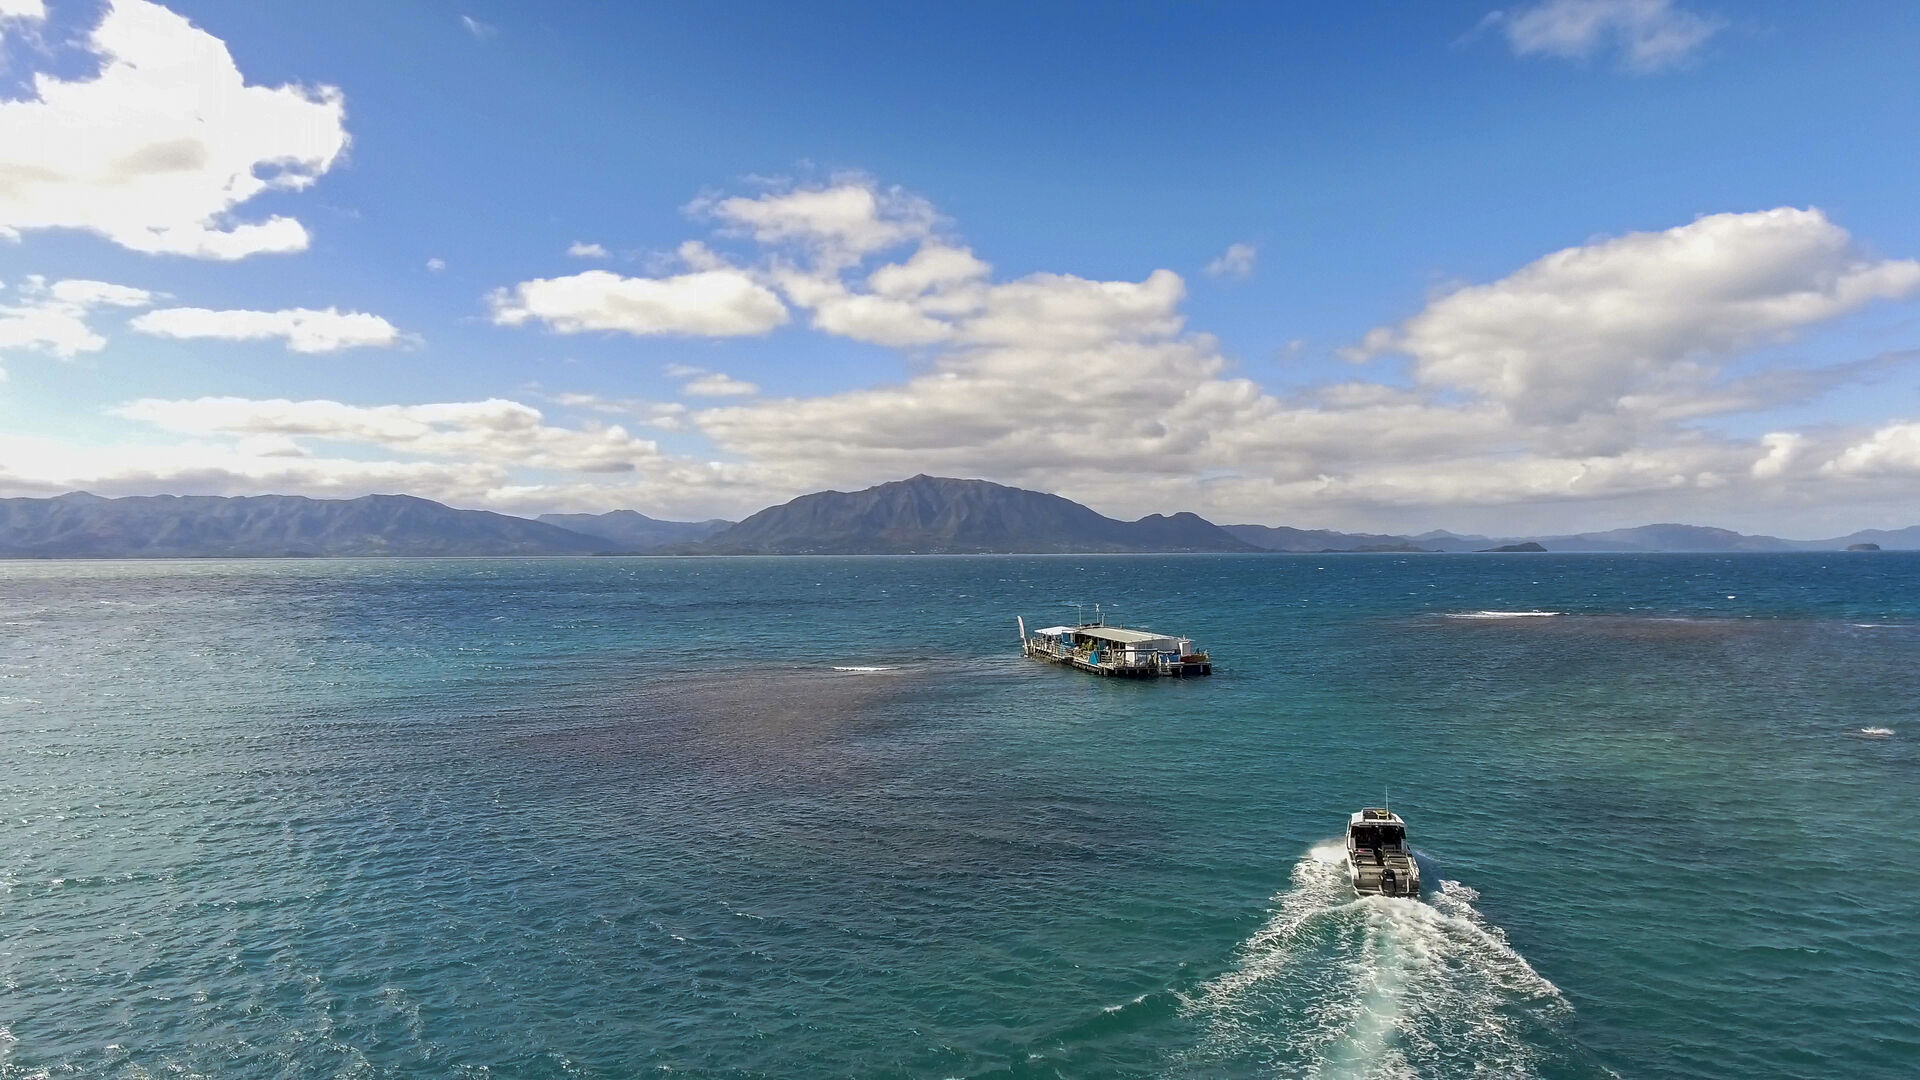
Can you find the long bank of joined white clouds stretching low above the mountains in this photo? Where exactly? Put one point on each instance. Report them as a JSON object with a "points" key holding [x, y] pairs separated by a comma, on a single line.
{"points": [[1573, 385]]}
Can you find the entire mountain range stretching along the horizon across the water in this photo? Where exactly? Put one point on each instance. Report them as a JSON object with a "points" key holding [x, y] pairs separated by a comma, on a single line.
{"points": [[917, 516]]}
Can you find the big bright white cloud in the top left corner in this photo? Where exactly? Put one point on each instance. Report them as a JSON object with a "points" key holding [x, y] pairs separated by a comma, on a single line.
{"points": [[164, 145]]}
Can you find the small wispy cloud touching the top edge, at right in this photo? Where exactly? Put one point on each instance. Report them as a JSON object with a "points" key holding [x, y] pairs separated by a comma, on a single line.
{"points": [[1648, 34]]}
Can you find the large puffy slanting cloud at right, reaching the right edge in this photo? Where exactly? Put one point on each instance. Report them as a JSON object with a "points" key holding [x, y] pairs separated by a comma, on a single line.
{"points": [[1587, 330]]}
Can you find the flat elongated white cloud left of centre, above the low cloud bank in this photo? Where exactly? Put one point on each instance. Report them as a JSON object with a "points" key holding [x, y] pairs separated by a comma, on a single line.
{"points": [[719, 303]]}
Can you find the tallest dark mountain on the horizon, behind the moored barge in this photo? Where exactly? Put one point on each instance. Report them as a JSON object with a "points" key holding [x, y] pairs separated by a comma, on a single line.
{"points": [[940, 516]]}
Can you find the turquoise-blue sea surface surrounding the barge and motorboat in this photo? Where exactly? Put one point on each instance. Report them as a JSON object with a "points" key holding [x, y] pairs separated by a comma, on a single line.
{"points": [[815, 818]]}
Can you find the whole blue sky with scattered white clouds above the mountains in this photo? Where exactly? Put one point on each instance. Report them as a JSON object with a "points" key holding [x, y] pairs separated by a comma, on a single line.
{"points": [[1545, 268]]}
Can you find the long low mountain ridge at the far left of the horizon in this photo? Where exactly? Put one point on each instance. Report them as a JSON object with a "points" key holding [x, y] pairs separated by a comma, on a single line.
{"points": [[91, 528]]}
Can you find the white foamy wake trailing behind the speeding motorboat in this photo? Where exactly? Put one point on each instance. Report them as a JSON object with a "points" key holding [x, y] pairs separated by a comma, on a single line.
{"points": [[1380, 987]]}
